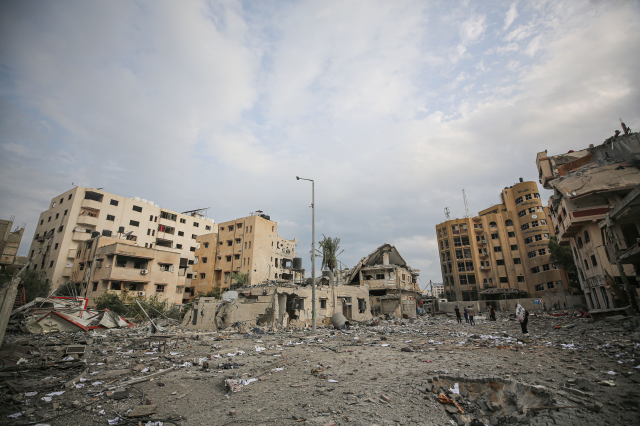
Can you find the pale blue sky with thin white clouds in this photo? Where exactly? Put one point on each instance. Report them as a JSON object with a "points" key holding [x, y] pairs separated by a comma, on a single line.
{"points": [[392, 107]]}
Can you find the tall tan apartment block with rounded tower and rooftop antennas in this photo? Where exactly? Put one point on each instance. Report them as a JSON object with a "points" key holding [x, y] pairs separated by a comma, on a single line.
{"points": [[502, 252]]}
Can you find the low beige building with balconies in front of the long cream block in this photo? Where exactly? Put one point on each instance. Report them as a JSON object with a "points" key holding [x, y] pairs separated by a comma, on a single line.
{"points": [[120, 266]]}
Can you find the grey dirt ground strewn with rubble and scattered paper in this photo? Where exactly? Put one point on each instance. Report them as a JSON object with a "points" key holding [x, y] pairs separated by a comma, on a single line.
{"points": [[392, 373]]}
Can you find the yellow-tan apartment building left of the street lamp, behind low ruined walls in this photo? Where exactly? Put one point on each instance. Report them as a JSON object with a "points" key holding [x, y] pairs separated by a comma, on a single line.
{"points": [[249, 245]]}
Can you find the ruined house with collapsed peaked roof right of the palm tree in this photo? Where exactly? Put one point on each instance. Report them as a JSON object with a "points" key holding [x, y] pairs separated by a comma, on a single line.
{"points": [[393, 285]]}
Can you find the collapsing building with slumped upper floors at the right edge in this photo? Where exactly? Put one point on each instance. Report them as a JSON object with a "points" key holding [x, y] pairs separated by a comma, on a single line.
{"points": [[587, 185]]}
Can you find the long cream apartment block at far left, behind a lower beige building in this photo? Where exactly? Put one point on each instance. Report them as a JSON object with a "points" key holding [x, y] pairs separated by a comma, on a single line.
{"points": [[79, 214]]}
